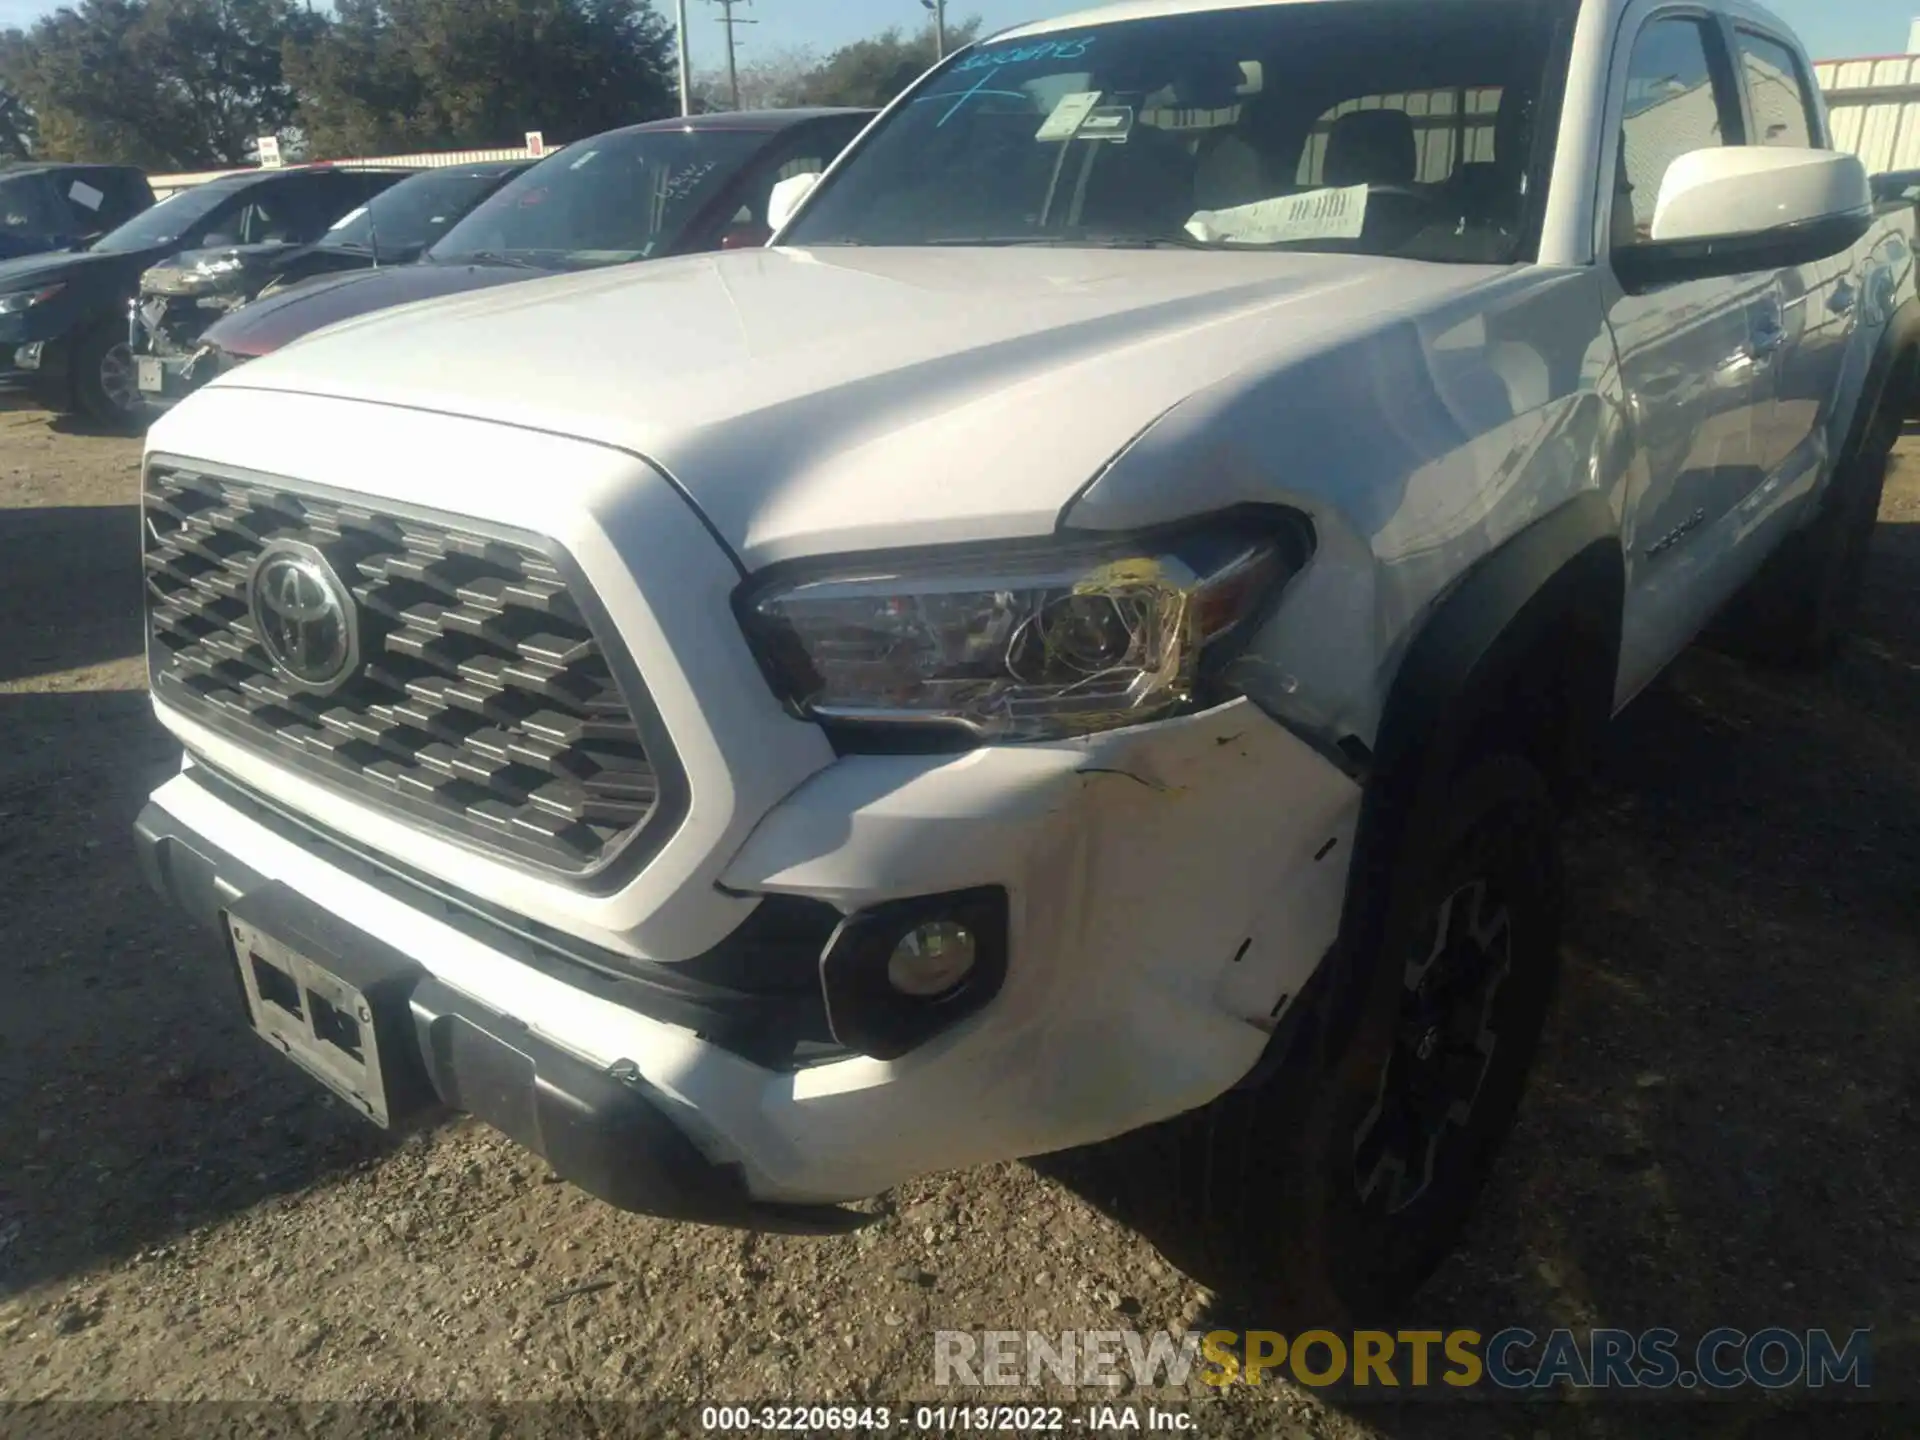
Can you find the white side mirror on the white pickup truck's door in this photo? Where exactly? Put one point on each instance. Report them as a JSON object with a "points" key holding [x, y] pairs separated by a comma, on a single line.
{"points": [[1739, 210]]}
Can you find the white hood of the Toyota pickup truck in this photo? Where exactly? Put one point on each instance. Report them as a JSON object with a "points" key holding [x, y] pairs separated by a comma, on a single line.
{"points": [[836, 400]]}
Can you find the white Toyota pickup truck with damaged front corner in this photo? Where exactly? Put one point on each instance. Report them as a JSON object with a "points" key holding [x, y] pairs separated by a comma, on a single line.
{"points": [[1095, 627]]}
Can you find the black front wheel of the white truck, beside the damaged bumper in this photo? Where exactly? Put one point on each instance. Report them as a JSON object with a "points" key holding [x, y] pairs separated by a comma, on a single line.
{"points": [[1347, 1178]]}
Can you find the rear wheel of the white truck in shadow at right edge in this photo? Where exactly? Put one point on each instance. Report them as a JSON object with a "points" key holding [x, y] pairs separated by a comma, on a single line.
{"points": [[1798, 610]]}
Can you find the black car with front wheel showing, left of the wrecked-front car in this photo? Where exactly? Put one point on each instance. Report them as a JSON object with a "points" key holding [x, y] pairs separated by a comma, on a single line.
{"points": [[64, 318]]}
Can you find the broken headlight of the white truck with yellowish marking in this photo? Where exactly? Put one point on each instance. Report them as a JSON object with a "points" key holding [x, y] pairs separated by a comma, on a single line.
{"points": [[1022, 646]]}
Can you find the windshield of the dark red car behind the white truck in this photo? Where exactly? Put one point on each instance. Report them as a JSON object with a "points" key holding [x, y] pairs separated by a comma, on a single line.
{"points": [[604, 203]]}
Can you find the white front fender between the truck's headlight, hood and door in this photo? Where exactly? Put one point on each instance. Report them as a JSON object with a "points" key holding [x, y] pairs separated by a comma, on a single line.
{"points": [[1418, 448]]}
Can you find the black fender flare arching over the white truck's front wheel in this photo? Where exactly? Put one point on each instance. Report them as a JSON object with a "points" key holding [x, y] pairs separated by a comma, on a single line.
{"points": [[1562, 575]]}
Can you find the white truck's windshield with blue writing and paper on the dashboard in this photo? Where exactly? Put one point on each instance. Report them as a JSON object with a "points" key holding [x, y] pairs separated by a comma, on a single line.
{"points": [[1393, 128]]}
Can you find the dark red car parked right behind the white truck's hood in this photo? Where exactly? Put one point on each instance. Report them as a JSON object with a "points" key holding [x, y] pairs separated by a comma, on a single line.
{"points": [[642, 193]]}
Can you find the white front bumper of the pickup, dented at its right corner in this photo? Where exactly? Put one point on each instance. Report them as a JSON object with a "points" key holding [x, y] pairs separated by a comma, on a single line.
{"points": [[1172, 890]]}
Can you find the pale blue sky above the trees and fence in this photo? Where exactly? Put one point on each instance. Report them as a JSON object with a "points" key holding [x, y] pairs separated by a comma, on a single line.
{"points": [[1831, 28]]}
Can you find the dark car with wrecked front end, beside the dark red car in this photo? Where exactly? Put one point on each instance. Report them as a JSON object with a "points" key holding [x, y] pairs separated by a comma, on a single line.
{"points": [[185, 295]]}
